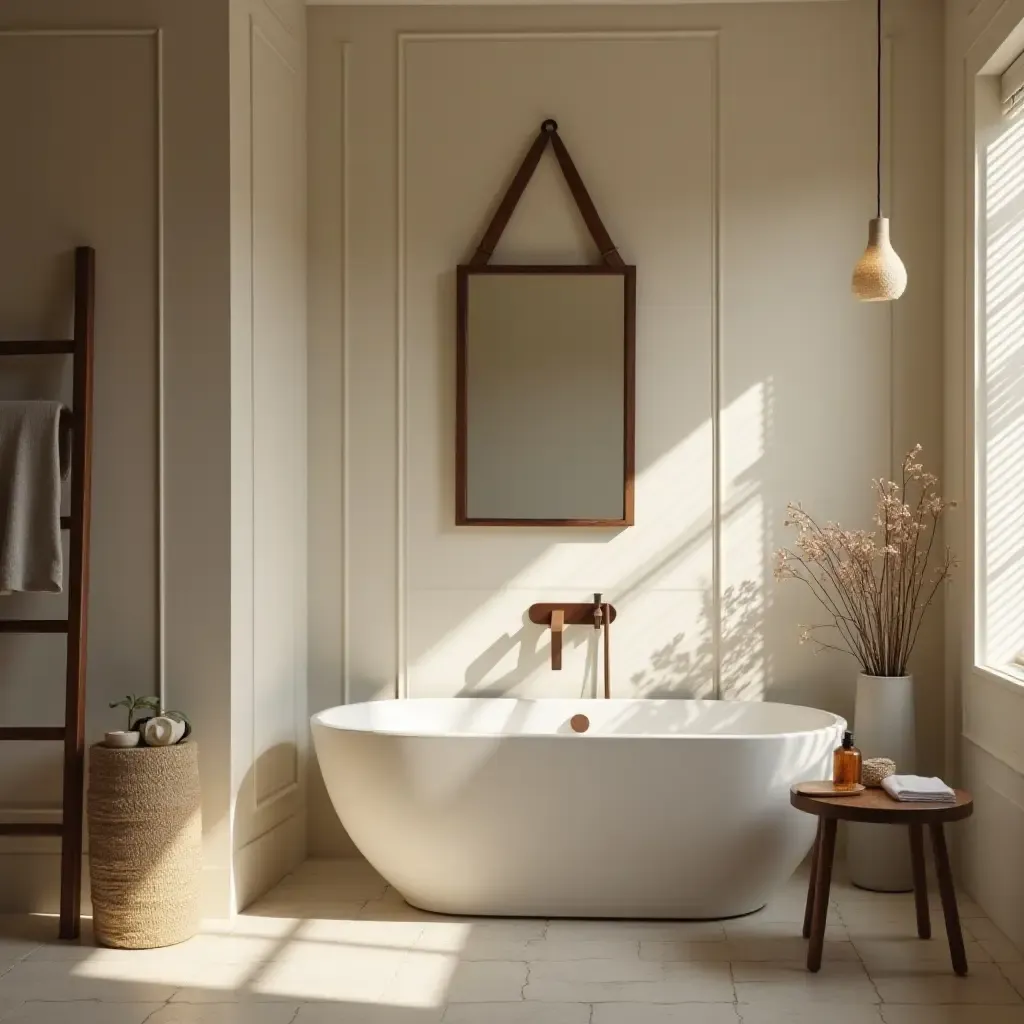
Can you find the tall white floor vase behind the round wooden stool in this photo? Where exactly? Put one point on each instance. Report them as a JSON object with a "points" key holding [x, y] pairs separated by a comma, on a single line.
{"points": [[879, 857]]}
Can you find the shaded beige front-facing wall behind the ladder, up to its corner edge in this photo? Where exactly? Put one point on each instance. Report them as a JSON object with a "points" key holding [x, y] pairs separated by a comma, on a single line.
{"points": [[135, 163]]}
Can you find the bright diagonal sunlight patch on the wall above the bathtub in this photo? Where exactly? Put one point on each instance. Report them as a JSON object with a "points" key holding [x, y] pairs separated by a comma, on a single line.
{"points": [[722, 650]]}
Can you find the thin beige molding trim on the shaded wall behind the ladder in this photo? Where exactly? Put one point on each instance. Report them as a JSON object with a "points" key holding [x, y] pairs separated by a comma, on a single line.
{"points": [[48, 814]]}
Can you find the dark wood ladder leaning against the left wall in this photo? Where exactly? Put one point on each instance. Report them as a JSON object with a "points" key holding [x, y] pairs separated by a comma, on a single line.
{"points": [[72, 734]]}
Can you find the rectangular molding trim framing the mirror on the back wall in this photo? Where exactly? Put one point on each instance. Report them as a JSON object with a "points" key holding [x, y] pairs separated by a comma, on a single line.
{"points": [[405, 39]]}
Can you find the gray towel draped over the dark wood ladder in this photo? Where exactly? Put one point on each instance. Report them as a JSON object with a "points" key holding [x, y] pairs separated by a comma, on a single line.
{"points": [[31, 558]]}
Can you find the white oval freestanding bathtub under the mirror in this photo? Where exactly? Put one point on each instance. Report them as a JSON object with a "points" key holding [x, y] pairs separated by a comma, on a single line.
{"points": [[661, 809]]}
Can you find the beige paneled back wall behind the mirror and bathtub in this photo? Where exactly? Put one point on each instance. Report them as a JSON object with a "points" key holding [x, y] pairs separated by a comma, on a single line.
{"points": [[731, 152]]}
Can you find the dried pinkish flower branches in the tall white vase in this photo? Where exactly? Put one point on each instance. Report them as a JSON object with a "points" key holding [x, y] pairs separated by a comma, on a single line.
{"points": [[876, 587]]}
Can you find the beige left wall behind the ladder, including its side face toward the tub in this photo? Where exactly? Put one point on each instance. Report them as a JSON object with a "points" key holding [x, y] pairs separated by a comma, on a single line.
{"points": [[132, 123]]}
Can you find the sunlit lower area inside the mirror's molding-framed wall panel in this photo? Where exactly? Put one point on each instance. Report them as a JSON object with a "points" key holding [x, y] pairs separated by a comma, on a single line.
{"points": [[657, 574]]}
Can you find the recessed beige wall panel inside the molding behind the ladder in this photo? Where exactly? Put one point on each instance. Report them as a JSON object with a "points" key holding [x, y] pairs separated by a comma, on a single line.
{"points": [[82, 115]]}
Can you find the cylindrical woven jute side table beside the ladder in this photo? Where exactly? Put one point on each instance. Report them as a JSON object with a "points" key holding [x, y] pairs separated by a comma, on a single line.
{"points": [[146, 833]]}
